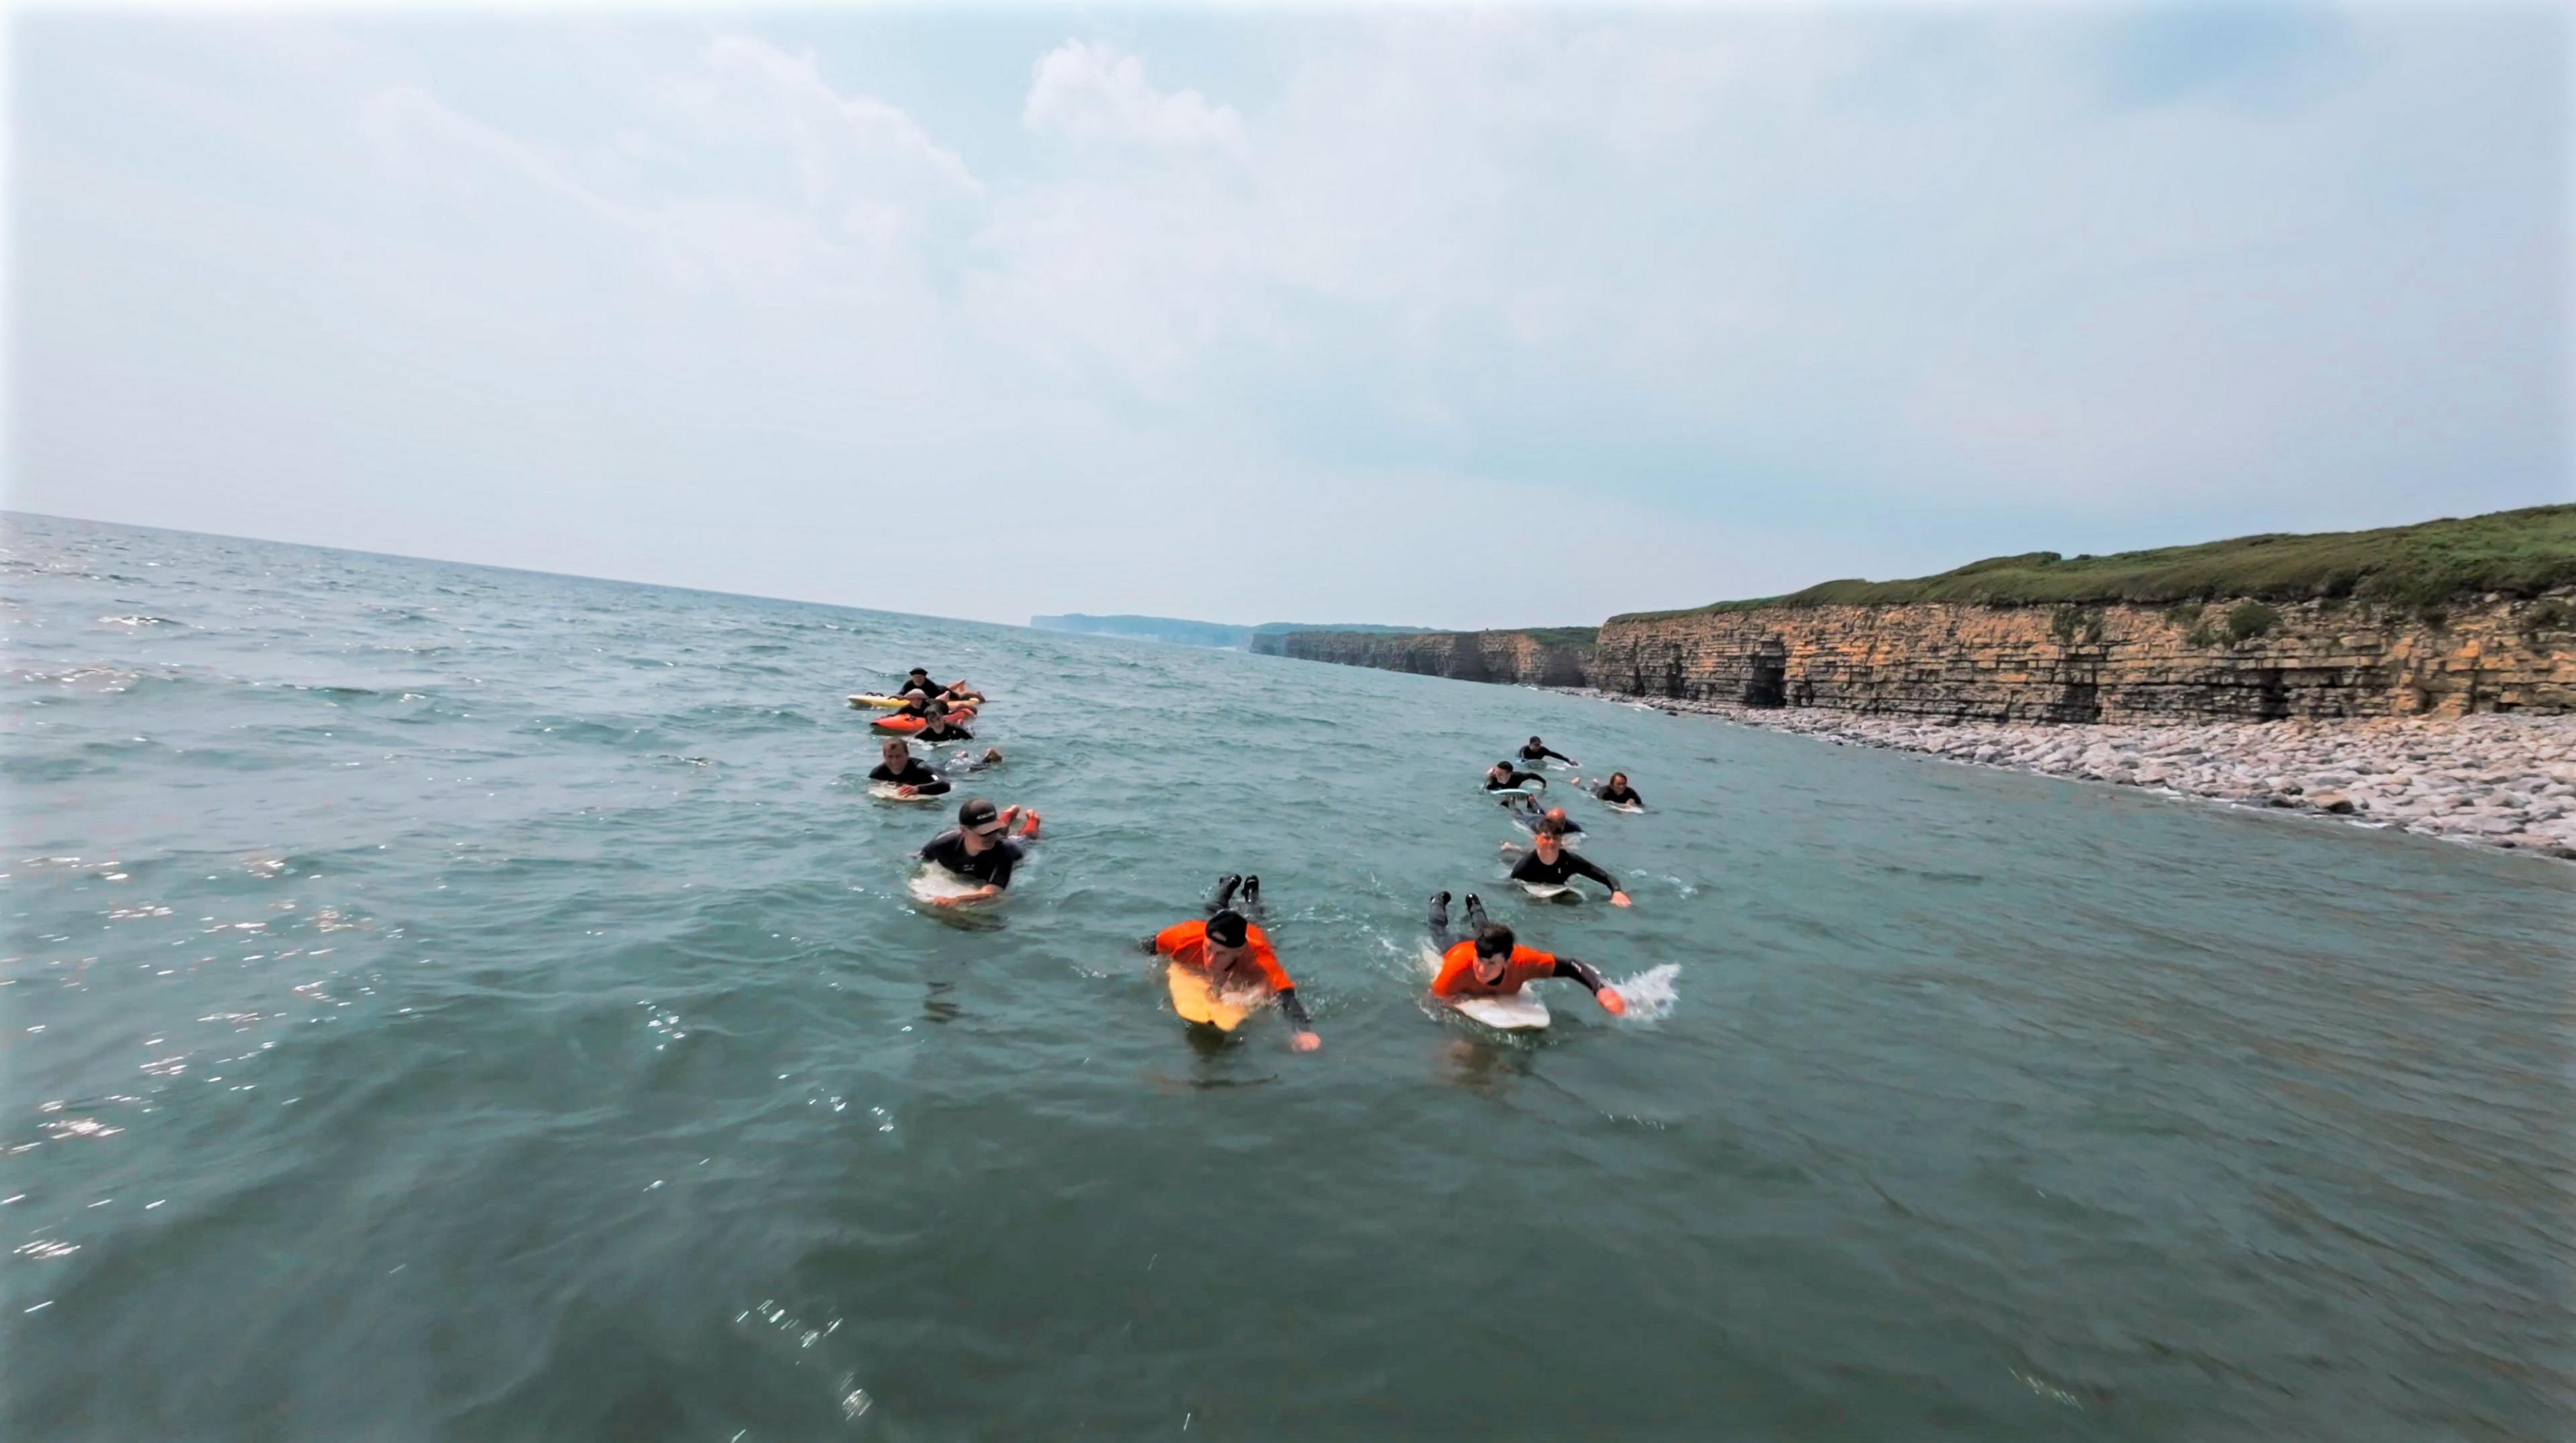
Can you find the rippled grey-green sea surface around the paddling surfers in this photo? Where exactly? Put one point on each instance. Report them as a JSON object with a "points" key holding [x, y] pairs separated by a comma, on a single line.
{"points": [[462, 1004]]}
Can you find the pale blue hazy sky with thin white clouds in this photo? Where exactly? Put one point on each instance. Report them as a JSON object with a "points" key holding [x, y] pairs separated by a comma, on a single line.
{"points": [[1413, 316]]}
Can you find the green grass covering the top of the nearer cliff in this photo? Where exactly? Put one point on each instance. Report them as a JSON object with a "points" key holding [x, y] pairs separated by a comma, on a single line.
{"points": [[2515, 553]]}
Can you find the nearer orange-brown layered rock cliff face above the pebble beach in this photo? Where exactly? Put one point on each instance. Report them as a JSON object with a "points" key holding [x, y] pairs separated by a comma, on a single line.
{"points": [[2108, 664]]}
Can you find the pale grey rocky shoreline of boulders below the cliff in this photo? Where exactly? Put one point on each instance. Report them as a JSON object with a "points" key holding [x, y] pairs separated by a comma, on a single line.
{"points": [[2485, 779]]}
